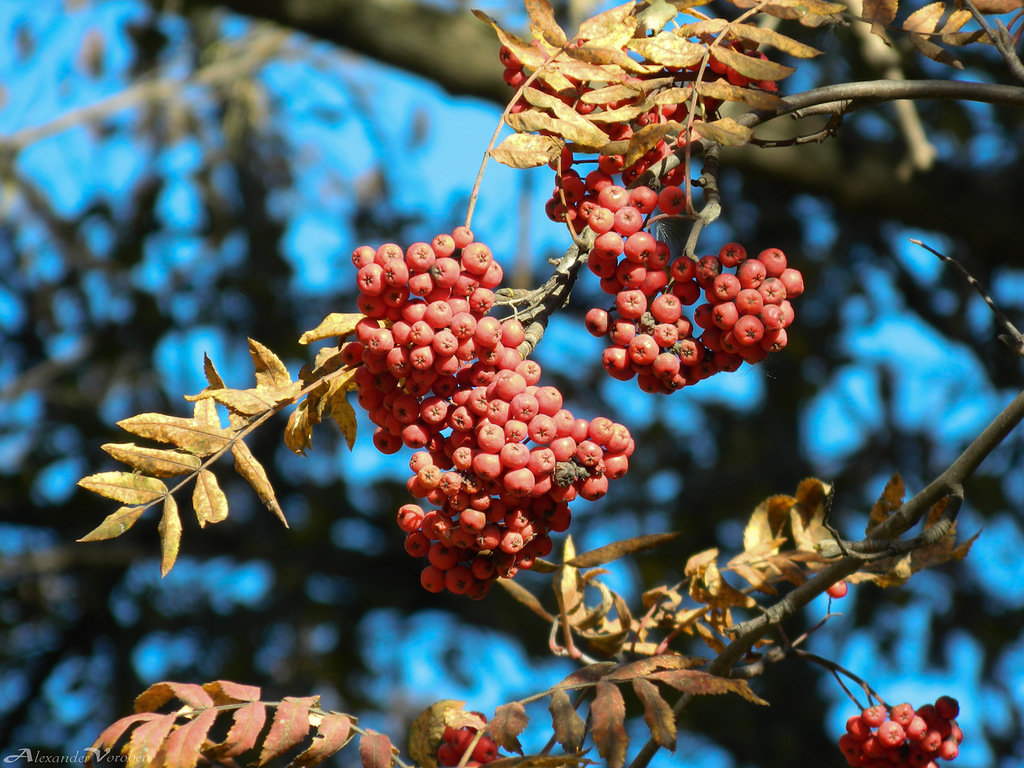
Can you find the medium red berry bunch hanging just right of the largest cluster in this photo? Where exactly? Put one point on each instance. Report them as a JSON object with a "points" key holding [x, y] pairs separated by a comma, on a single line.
{"points": [[744, 317]]}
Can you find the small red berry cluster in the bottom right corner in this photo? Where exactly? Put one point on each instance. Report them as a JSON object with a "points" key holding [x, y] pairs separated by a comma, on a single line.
{"points": [[904, 738]]}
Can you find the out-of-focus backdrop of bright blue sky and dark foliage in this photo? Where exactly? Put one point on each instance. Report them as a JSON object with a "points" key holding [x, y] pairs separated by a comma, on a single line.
{"points": [[180, 176]]}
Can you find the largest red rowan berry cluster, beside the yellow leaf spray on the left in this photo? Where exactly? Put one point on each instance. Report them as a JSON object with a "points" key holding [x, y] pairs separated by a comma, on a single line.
{"points": [[498, 455]]}
